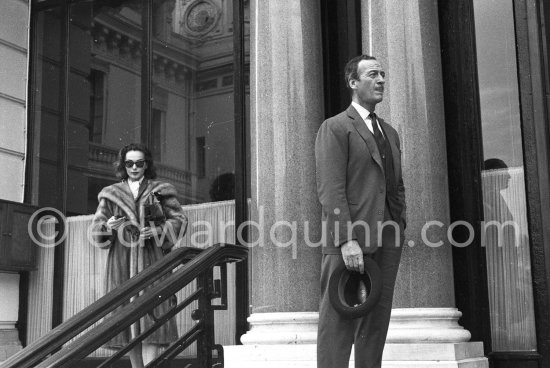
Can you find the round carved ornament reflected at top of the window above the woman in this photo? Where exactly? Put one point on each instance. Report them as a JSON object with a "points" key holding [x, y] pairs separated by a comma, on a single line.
{"points": [[201, 17]]}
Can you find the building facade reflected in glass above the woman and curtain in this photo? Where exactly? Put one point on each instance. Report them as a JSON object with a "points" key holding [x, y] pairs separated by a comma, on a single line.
{"points": [[191, 129]]}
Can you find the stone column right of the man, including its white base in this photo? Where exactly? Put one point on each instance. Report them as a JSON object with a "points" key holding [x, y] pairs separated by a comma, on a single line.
{"points": [[404, 36]]}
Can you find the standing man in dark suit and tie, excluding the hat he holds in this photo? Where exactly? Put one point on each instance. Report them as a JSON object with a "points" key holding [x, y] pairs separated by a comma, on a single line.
{"points": [[360, 187]]}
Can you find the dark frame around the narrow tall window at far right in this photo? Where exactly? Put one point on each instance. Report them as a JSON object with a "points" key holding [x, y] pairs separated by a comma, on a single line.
{"points": [[463, 129]]}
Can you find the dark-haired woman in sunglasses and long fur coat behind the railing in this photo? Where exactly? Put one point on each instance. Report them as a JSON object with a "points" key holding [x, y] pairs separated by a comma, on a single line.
{"points": [[120, 226]]}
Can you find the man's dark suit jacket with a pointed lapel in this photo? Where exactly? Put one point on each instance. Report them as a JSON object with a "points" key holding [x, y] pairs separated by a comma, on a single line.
{"points": [[351, 182]]}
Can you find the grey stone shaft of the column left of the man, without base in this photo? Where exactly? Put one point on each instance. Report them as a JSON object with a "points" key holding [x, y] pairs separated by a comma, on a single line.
{"points": [[286, 112]]}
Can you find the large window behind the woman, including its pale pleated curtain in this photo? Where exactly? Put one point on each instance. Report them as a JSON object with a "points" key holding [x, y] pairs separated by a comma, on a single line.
{"points": [[191, 130]]}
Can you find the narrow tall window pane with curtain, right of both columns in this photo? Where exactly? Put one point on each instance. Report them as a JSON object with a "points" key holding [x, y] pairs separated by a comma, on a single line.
{"points": [[503, 183]]}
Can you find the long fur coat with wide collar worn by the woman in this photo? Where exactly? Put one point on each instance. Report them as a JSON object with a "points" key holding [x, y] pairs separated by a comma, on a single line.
{"points": [[128, 255]]}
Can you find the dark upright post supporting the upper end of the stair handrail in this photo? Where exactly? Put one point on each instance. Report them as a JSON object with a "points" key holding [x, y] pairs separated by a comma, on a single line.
{"points": [[205, 343]]}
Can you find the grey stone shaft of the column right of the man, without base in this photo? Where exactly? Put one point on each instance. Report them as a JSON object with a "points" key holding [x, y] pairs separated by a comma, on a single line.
{"points": [[404, 36]]}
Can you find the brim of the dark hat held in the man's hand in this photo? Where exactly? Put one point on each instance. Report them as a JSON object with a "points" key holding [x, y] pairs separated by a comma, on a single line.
{"points": [[337, 284]]}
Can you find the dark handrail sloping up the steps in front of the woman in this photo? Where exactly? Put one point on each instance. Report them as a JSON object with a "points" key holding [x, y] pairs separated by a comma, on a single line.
{"points": [[197, 264]]}
